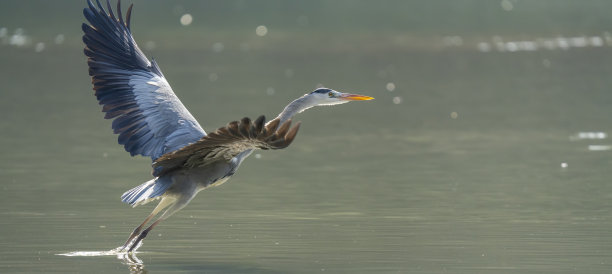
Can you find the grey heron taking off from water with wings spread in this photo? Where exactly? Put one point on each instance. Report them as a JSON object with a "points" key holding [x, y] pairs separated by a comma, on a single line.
{"points": [[151, 121]]}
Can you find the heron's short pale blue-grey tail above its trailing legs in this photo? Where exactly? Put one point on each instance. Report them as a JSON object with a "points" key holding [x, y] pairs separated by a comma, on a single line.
{"points": [[146, 192]]}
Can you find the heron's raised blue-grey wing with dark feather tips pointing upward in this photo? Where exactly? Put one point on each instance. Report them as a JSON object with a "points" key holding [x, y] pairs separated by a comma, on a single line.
{"points": [[149, 118]]}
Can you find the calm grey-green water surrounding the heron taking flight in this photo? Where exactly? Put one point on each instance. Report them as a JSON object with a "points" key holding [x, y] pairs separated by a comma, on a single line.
{"points": [[470, 160]]}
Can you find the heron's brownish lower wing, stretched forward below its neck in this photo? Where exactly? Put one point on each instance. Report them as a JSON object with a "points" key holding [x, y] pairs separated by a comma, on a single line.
{"points": [[227, 142]]}
